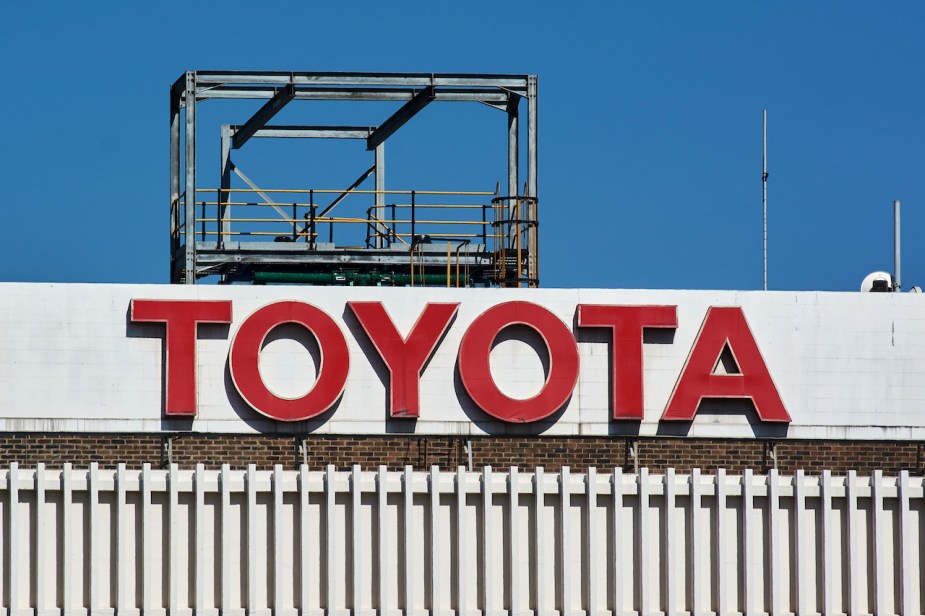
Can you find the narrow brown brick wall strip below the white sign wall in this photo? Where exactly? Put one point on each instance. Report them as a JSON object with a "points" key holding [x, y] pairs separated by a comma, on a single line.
{"points": [[395, 452]]}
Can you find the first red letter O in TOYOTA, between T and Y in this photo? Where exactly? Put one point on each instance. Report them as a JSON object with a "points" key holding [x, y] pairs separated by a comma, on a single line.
{"points": [[244, 357]]}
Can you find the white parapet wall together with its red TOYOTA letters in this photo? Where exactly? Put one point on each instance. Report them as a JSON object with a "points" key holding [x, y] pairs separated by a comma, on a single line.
{"points": [[87, 358]]}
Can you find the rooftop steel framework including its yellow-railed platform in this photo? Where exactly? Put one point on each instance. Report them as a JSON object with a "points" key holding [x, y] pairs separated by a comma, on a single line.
{"points": [[206, 238]]}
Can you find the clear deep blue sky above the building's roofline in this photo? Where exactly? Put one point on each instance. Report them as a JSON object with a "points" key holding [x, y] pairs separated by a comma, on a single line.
{"points": [[650, 128]]}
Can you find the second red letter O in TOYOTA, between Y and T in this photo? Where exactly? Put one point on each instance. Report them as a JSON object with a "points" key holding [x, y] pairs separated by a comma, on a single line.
{"points": [[475, 371]]}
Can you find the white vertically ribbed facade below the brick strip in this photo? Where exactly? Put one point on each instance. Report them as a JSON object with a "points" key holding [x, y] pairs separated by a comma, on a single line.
{"points": [[326, 542]]}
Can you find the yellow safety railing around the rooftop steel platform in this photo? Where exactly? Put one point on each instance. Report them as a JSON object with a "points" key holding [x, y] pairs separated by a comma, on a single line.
{"points": [[505, 227]]}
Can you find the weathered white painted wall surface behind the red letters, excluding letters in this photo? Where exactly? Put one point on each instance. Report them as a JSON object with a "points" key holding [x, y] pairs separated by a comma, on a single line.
{"points": [[847, 365]]}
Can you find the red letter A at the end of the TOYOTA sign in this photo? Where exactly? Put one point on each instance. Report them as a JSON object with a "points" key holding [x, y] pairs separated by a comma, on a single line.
{"points": [[722, 327]]}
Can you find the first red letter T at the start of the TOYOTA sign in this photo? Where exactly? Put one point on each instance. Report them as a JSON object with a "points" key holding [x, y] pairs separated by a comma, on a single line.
{"points": [[181, 319]]}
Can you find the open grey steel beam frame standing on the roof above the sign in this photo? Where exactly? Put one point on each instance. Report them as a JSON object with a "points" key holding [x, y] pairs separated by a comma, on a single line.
{"points": [[192, 259]]}
